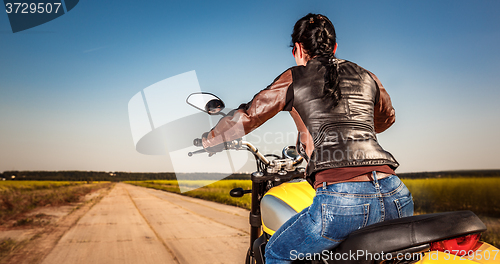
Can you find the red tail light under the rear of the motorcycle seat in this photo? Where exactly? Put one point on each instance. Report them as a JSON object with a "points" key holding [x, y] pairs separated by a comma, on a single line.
{"points": [[458, 246]]}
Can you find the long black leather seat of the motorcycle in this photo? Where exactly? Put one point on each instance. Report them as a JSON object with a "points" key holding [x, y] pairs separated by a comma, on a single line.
{"points": [[413, 231]]}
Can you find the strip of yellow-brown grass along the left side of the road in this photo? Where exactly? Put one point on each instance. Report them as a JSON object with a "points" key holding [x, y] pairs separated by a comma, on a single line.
{"points": [[18, 197]]}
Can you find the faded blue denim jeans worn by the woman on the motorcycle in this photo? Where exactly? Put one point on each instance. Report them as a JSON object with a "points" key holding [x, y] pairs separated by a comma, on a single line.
{"points": [[336, 211]]}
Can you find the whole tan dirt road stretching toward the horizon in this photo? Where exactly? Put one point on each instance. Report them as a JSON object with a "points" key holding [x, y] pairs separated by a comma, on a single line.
{"points": [[139, 225]]}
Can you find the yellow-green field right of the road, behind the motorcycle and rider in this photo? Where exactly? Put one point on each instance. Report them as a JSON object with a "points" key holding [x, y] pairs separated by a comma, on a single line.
{"points": [[480, 195]]}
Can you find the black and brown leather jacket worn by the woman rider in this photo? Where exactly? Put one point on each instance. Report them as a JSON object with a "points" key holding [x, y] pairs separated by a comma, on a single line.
{"points": [[329, 137]]}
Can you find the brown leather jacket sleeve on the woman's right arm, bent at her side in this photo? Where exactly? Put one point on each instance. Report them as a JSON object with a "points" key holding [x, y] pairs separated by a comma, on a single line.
{"points": [[384, 113]]}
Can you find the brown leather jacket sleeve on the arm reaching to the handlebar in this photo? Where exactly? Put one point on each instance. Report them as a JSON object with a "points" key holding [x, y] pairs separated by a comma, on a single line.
{"points": [[264, 105]]}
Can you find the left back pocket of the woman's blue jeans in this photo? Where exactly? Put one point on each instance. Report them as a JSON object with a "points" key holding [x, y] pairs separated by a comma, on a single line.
{"points": [[339, 221]]}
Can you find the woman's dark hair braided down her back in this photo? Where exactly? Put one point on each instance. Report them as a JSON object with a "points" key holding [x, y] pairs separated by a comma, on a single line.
{"points": [[316, 33]]}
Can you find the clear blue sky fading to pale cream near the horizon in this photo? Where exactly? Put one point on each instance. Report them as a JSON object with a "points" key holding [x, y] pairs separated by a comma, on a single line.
{"points": [[65, 85]]}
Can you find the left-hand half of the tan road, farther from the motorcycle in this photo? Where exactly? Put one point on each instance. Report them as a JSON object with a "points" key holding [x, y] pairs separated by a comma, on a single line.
{"points": [[113, 231]]}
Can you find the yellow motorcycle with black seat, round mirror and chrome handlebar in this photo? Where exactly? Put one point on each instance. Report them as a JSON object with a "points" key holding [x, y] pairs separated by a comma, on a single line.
{"points": [[280, 191]]}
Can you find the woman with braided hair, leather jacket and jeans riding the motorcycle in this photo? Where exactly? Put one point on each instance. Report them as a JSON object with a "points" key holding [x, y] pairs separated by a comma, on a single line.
{"points": [[338, 107]]}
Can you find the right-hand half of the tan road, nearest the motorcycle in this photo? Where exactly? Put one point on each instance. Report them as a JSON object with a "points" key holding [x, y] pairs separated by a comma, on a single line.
{"points": [[195, 233]]}
